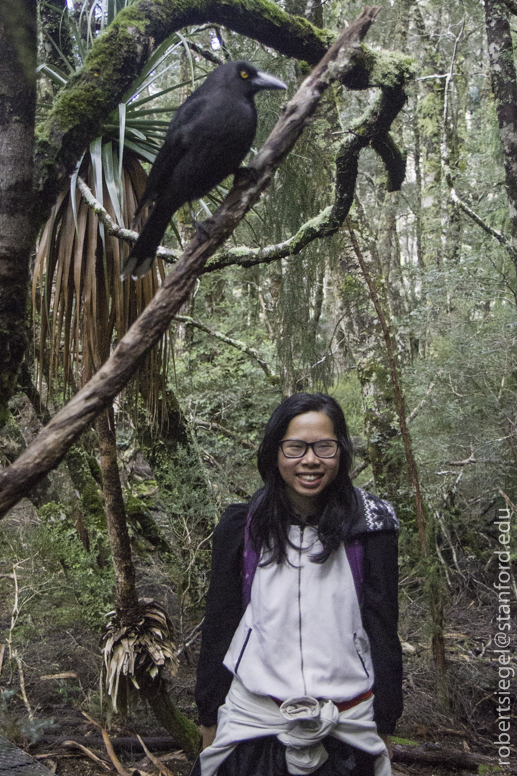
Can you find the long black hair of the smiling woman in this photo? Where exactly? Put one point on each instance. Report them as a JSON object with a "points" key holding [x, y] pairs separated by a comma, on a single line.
{"points": [[270, 509]]}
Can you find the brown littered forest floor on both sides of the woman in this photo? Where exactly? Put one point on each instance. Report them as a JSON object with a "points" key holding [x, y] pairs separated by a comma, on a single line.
{"points": [[61, 669]]}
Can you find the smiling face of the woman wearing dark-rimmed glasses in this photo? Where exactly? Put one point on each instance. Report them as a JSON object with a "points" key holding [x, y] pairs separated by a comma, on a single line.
{"points": [[306, 478]]}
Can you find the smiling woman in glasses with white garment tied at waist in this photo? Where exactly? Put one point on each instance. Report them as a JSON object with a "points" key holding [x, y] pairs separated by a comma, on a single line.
{"points": [[300, 666]]}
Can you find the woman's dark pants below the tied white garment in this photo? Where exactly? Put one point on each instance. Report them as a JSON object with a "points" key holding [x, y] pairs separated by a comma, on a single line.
{"points": [[266, 757]]}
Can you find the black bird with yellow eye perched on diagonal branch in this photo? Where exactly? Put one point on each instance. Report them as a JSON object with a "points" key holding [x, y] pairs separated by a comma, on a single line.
{"points": [[207, 140]]}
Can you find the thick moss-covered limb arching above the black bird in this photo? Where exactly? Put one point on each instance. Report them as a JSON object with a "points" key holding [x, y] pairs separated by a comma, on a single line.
{"points": [[120, 53]]}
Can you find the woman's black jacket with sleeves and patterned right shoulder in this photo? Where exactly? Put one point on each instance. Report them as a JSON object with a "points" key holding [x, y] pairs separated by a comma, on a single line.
{"points": [[376, 526]]}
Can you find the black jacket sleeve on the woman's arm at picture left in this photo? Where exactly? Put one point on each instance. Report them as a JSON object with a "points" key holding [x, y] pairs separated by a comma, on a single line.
{"points": [[224, 609]]}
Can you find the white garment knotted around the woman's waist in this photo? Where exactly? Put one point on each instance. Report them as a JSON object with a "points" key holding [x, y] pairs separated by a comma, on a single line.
{"points": [[300, 724]]}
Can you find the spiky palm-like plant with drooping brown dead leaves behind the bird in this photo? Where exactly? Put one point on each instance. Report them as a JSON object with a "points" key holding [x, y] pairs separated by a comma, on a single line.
{"points": [[76, 287]]}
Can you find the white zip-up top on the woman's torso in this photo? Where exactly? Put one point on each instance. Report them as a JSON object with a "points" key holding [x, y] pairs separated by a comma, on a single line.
{"points": [[302, 633]]}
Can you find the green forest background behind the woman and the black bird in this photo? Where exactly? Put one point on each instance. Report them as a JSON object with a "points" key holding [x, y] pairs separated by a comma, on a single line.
{"points": [[378, 266]]}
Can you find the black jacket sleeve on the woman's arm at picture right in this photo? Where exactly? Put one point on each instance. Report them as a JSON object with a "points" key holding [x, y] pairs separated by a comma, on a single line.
{"points": [[380, 620]]}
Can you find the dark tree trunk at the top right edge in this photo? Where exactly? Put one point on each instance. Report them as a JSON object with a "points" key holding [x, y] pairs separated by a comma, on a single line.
{"points": [[504, 87]]}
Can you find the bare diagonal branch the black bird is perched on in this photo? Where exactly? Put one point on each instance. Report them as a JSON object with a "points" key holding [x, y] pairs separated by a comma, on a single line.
{"points": [[68, 424]]}
